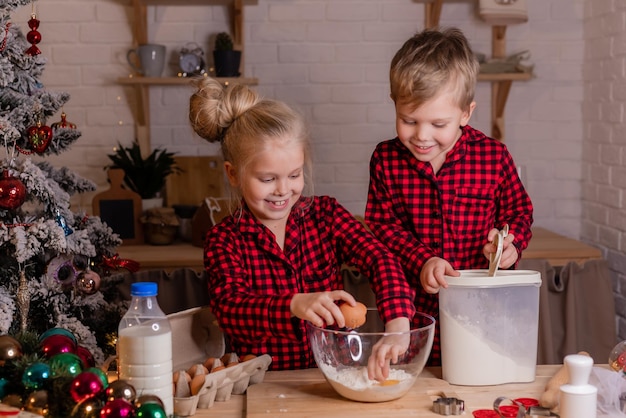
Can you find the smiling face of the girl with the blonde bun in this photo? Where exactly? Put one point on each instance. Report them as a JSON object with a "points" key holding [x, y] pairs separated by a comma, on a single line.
{"points": [[272, 182]]}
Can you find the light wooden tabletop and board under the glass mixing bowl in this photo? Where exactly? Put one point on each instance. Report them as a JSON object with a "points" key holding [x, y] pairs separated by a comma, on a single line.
{"points": [[305, 393]]}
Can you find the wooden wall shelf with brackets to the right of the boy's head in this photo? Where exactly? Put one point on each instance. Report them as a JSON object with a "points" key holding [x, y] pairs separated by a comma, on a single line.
{"points": [[500, 83]]}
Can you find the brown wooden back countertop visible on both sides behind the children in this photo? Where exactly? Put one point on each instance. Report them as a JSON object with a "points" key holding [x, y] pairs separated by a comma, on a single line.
{"points": [[545, 244]]}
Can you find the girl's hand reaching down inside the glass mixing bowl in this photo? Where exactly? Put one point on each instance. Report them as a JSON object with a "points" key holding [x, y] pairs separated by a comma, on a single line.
{"points": [[387, 350]]}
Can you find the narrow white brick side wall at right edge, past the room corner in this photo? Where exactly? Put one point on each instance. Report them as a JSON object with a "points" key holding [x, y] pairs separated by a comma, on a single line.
{"points": [[604, 156]]}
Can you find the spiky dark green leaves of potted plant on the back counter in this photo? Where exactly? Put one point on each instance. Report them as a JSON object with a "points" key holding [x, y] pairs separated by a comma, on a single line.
{"points": [[144, 176]]}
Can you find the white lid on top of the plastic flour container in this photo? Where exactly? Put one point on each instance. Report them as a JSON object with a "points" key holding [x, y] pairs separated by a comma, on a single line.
{"points": [[479, 278]]}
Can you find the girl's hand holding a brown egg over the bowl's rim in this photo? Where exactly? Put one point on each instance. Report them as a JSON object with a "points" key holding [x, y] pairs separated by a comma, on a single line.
{"points": [[320, 308]]}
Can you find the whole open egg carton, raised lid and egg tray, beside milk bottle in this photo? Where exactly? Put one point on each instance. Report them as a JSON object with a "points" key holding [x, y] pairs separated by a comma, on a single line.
{"points": [[196, 336]]}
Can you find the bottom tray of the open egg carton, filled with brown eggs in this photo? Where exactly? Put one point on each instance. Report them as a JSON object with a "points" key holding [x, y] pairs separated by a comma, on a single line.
{"points": [[220, 385]]}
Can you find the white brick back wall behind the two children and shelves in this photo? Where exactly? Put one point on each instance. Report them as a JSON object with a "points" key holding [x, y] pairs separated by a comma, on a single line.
{"points": [[329, 59]]}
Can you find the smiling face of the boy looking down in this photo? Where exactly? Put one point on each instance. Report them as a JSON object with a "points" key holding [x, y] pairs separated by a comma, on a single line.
{"points": [[431, 130]]}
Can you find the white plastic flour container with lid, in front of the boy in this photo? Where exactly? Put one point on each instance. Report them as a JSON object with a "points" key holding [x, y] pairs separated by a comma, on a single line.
{"points": [[489, 327]]}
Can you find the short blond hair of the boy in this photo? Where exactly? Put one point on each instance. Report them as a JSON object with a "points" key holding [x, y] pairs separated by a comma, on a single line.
{"points": [[430, 61]]}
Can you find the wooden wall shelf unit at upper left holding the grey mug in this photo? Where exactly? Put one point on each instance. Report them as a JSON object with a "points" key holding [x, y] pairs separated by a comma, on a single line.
{"points": [[142, 85]]}
